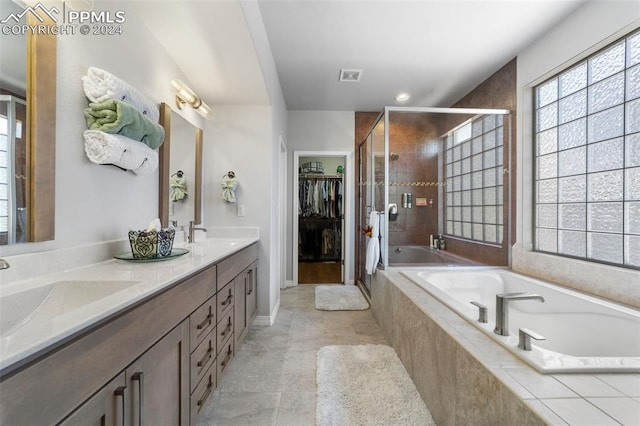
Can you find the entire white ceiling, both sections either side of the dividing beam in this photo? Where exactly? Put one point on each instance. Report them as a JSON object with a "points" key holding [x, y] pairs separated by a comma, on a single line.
{"points": [[435, 50]]}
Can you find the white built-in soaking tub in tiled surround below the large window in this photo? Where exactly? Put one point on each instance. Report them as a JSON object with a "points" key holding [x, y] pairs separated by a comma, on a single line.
{"points": [[583, 334]]}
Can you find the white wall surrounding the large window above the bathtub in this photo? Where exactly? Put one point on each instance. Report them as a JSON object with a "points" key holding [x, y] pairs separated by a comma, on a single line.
{"points": [[590, 28]]}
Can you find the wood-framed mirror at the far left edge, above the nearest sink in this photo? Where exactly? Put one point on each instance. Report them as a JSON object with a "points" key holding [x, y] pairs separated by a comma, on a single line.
{"points": [[27, 133]]}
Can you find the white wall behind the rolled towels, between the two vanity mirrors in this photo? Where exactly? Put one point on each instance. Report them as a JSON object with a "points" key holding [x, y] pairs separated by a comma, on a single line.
{"points": [[97, 203]]}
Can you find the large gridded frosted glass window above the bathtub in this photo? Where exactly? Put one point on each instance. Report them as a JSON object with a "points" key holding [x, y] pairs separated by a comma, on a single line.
{"points": [[587, 158]]}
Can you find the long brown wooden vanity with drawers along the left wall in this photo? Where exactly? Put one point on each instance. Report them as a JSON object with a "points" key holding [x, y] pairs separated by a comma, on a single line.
{"points": [[155, 360]]}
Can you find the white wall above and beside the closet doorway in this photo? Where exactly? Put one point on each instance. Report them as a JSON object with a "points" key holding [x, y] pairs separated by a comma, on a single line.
{"points": [[319, 131]]}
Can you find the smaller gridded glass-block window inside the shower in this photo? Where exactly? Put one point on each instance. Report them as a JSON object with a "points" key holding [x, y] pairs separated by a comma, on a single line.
{"points": [[473, 180]]}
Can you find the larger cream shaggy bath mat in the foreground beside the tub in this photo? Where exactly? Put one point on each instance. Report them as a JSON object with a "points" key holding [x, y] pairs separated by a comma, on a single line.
{"points": [[366, 385]]}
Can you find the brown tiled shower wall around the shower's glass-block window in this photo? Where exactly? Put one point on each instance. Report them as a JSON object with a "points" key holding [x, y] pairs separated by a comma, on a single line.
{"points": [[416, 146]]}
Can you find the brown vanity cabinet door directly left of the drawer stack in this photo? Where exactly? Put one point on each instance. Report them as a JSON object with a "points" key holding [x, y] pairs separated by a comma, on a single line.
{"points": [[158, 381]]}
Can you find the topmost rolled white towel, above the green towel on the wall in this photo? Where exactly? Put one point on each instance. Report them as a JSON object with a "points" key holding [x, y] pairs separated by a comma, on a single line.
{"points": [[100, 85]]}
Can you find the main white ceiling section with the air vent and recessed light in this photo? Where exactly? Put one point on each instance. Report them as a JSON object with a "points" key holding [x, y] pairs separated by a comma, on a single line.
{"points": [[435, 50]]}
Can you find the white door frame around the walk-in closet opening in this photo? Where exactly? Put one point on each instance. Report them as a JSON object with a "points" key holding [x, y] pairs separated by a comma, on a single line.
{"points": [[347, 203]]}
